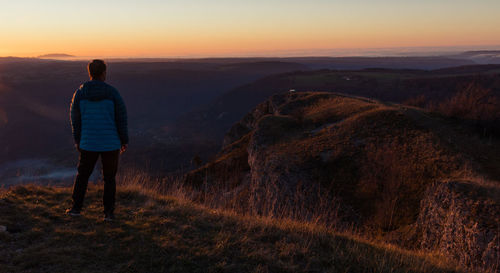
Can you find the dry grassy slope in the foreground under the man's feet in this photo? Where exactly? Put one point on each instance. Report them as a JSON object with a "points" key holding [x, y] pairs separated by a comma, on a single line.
{"points": [[161, 234]]}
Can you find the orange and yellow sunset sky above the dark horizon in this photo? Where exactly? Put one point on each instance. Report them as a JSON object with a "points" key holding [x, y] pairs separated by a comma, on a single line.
{"points": [[176, 28]]}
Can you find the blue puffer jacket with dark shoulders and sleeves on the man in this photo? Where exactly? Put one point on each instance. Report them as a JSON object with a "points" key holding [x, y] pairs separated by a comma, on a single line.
{"points": [[98, 117]]}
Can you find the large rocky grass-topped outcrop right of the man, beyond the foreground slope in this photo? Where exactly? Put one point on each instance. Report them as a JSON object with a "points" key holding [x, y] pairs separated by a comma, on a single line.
{"points": [[349, 161]]}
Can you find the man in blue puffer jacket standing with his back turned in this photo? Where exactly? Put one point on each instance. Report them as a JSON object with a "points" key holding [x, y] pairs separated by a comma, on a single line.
{"points": [[99, 125]]}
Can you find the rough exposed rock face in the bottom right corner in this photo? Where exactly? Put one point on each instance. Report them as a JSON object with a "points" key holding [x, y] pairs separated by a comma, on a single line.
{"points": [[462, 220]]}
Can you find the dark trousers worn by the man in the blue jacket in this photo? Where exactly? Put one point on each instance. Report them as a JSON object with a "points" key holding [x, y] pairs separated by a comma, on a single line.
{"points": [[86, 165]]}
